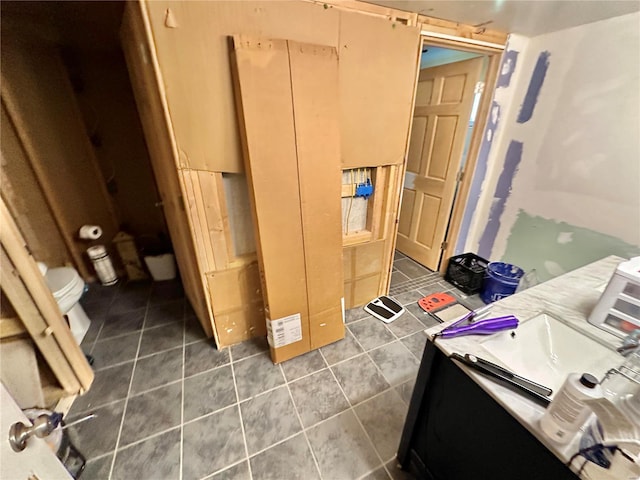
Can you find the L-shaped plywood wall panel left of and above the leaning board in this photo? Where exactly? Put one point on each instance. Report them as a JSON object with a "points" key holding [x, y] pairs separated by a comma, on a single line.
{"points": [[194, 58]]}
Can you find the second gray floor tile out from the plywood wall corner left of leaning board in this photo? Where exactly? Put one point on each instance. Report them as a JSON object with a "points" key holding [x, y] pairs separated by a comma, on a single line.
{"points": [[207, 392]]}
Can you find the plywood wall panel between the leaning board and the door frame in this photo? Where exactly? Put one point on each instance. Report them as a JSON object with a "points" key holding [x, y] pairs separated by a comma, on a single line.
{"points": [[375, 105]]}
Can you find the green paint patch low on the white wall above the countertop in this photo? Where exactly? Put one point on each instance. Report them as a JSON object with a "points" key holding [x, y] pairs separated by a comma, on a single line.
{"points": [[553, 248]]}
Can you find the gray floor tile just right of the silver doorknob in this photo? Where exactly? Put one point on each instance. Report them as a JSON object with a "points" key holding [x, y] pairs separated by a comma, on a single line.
{"points": [[97, 436]]}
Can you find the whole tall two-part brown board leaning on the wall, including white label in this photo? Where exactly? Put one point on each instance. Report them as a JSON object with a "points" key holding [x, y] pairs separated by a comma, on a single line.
{"points": [[293, 164]]}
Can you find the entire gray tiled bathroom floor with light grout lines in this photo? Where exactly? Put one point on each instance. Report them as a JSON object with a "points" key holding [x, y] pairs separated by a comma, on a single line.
{"points": [[170, 405]]}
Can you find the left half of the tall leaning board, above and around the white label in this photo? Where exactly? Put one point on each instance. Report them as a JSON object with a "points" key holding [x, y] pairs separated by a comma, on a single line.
{"points": [[264, 85]]}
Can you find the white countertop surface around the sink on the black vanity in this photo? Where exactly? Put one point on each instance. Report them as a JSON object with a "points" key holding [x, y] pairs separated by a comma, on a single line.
{"points": [[570, 297]]}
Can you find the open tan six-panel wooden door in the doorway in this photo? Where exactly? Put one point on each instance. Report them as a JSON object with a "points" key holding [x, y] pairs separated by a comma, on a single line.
{"points": [[440, 121]]}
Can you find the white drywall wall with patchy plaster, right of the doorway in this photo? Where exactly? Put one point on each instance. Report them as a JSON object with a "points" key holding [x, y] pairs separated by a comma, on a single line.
{"points": [[581, 147]]}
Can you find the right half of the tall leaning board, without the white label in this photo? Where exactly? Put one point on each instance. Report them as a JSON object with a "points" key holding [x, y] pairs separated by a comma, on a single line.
{"points": [[314, 81]]}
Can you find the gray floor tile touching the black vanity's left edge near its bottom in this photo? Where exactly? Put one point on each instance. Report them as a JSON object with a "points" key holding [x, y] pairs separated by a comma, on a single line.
{"points": [[383, 419]]}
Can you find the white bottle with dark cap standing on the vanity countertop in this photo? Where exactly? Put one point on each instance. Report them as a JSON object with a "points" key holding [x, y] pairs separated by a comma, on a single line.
{"points": [[568, 412]]}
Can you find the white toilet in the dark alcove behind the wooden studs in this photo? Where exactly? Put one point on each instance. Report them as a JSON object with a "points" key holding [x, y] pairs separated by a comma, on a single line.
{"points": [[67, 287]]}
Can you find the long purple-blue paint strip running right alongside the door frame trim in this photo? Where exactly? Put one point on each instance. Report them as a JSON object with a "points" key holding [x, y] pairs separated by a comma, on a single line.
{"points": [[479, 174]]}
